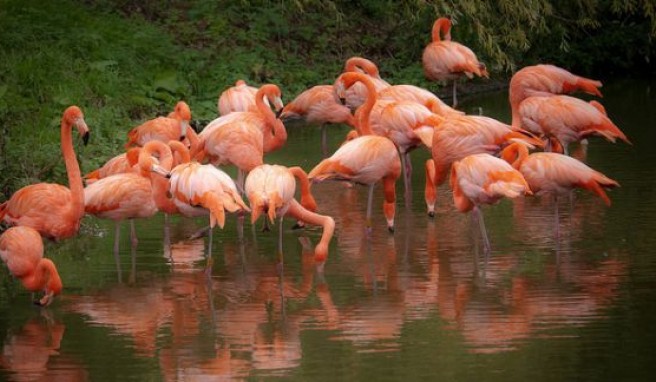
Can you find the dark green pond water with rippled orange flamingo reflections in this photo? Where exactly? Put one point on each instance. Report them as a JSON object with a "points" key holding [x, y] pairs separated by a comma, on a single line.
{"points": [[421, 303]]}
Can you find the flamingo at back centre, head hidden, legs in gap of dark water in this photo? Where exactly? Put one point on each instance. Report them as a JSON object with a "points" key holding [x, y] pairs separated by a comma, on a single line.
{"points": [[318, 105]]}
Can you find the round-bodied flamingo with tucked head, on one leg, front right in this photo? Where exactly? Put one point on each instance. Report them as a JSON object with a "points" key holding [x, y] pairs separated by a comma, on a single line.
{"points": [[483, 179]]}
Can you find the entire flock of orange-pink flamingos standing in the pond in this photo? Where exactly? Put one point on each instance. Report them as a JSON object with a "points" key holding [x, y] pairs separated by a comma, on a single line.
{"points": [[163, 168]]}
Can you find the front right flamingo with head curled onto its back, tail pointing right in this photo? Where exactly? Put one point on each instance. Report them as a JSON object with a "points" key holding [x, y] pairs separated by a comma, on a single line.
{"points": [[557, 174]]}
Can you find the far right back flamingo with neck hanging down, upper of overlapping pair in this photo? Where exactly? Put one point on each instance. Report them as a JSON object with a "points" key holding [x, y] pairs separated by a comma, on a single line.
{"points": [[545, 80]]}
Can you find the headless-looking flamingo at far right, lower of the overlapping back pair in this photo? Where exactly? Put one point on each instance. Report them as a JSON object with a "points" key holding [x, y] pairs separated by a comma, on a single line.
{"points": [[568, 119]]}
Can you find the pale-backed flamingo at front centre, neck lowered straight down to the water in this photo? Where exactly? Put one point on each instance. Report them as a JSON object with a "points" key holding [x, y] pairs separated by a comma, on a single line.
{"points": [[365, 160]]}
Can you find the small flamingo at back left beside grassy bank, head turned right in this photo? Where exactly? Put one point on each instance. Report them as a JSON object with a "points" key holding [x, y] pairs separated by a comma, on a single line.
{"points": [[164, 129]]}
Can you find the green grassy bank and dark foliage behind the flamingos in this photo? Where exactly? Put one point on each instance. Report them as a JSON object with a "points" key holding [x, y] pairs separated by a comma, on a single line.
{"points": [[123, 62]]}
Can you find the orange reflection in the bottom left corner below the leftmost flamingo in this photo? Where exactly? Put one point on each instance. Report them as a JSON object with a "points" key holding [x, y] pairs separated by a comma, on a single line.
{"points": [[32, 353]]}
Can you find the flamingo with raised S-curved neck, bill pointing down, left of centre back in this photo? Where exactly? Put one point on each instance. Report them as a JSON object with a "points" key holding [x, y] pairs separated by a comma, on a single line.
{"points": [[242, 138]]}
